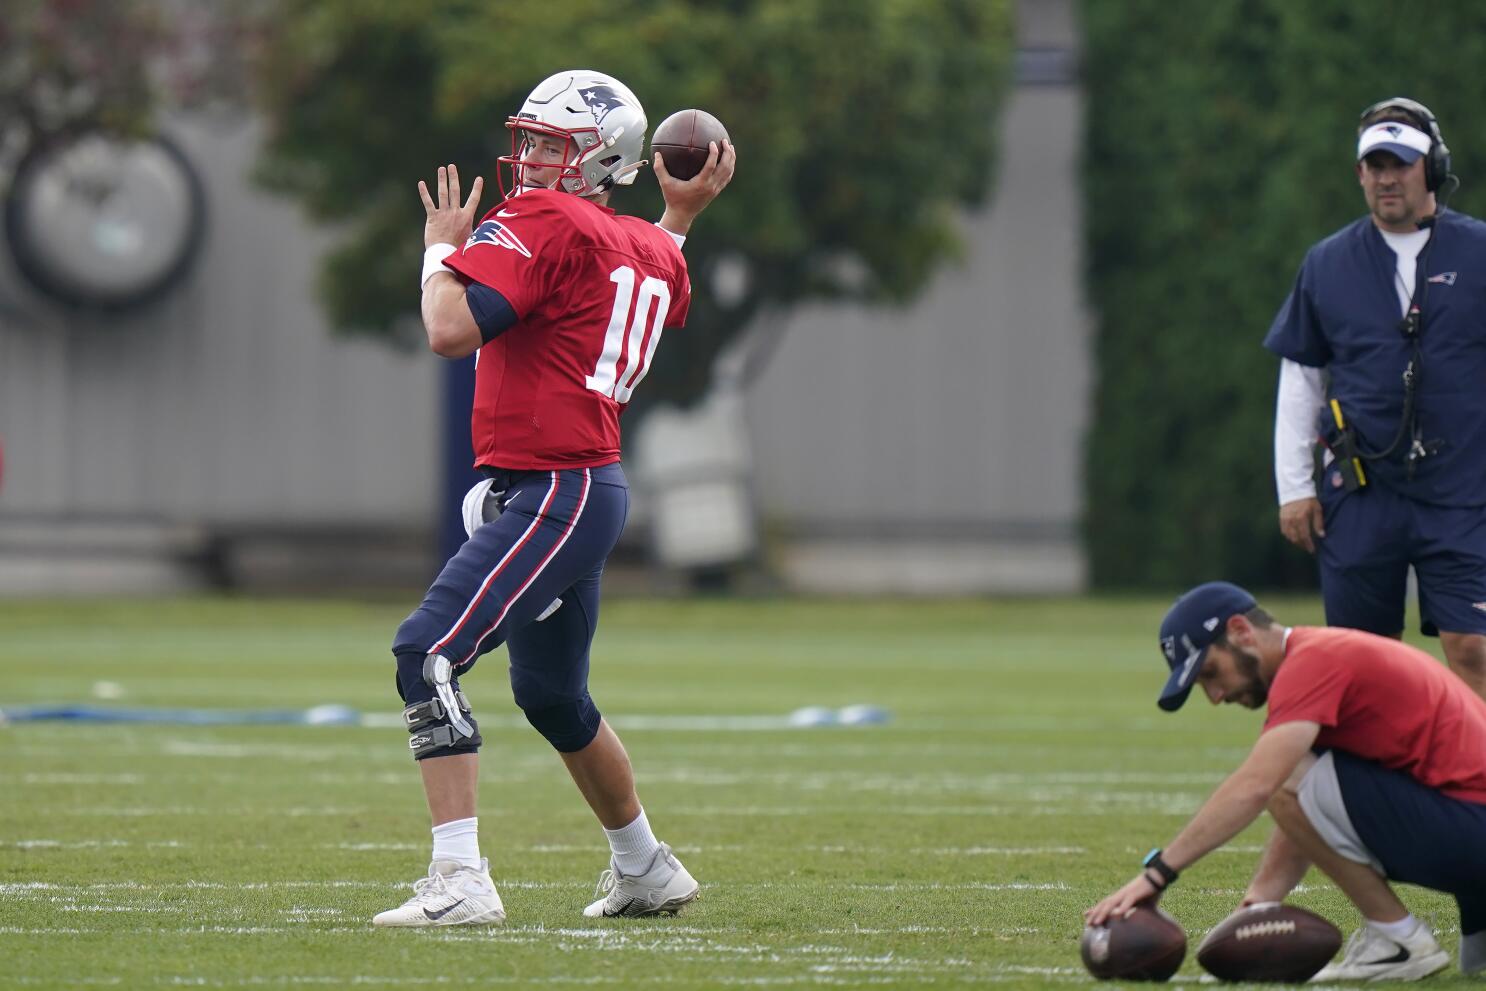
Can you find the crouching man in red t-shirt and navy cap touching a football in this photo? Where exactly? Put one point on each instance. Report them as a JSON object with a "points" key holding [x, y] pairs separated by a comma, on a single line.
{"points": [[1372, 761]]}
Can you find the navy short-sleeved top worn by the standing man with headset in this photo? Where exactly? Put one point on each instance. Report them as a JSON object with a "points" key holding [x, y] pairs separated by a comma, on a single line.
{"points": [[1344, 316]]}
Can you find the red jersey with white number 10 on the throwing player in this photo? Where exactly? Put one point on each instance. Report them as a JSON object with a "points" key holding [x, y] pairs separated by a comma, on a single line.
{"points": [[592, 293]]}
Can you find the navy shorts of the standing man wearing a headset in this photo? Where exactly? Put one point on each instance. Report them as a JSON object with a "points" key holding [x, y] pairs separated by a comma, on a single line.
{"points": [[1372, 536]]}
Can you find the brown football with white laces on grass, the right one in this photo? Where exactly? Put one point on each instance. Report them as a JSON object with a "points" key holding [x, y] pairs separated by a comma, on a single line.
{"points": [[1270, 943]]}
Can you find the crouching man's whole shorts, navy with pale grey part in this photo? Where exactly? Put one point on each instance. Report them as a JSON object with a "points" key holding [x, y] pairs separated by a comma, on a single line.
{"points": [[1405, 830]]}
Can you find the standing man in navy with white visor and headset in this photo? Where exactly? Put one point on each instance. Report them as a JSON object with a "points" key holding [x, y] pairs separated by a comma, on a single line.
{"points": [[1384, 362]]}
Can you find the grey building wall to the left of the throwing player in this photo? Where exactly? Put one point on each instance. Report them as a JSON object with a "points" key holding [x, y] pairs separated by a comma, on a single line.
{"points": [[225, 408]]}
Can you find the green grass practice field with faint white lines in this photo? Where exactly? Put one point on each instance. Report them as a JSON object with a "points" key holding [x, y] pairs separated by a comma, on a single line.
{"points": [[1025, 773]]}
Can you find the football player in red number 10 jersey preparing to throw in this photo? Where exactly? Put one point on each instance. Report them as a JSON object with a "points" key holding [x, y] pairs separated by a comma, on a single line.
{"points": [[564, 302]]}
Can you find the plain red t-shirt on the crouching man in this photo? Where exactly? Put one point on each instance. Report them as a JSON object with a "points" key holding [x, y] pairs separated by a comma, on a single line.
{"points": [[1386, 702]]}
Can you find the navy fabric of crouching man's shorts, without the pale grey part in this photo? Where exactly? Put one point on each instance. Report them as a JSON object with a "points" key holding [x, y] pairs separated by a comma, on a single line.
{"points": [[1418, 834]]}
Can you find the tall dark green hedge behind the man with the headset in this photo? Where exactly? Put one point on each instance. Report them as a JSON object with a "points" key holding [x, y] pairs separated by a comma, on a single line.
{"points": [[1219, 148]]}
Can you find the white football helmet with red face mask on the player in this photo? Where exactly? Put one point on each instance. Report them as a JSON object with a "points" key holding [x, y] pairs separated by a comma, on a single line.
{"points": [[601, 121]]}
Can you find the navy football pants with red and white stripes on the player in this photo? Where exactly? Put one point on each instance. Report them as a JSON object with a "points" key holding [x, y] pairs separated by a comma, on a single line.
{"points": [[555, 533]]}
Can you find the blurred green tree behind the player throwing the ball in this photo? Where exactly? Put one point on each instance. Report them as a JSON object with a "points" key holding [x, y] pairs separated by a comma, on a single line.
{"points": [[861, 126]]}
